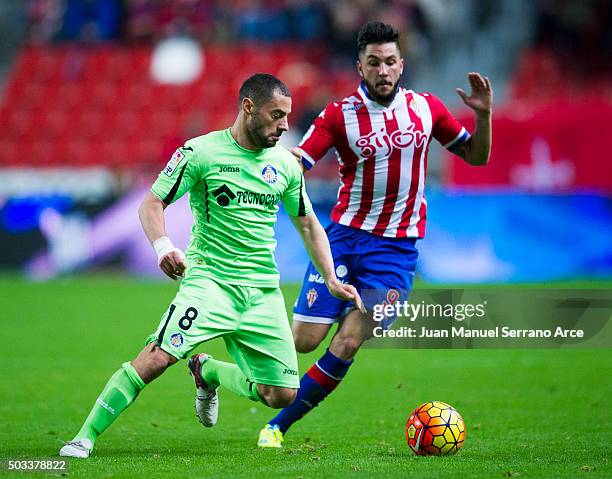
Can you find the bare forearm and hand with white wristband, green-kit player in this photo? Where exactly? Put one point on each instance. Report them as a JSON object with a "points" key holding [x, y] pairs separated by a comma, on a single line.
{"points": [[171, 260]]}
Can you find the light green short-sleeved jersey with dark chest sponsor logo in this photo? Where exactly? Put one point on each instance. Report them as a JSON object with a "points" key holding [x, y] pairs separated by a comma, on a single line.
{"points": [[234, 196]]}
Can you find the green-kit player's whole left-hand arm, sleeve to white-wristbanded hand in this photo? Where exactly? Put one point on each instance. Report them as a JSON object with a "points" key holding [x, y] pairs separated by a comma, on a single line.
{"points": [[176, 179]]}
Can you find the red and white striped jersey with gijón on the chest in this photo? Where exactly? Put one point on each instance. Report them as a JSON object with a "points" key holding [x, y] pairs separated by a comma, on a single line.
{"points": [[382, 154]]}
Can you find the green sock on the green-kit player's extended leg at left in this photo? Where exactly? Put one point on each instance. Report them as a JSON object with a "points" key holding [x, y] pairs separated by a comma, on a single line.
{"points": [[119, 392]]}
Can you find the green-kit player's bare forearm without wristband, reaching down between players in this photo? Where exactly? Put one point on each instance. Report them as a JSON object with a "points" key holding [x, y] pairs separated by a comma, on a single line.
{"points": [[317, 245]]}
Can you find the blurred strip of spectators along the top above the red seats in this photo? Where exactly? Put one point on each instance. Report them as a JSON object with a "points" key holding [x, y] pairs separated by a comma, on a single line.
{"points": [[580, 30]]}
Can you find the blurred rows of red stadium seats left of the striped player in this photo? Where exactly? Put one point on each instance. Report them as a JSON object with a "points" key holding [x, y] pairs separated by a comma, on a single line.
{"points": [[79, 107]]}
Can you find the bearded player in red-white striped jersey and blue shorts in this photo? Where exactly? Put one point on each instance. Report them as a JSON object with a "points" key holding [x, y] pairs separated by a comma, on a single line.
{"points": [[381, 134]]}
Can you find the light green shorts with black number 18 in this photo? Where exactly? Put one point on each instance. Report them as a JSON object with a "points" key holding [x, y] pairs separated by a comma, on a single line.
{"points": [[252, 321]]}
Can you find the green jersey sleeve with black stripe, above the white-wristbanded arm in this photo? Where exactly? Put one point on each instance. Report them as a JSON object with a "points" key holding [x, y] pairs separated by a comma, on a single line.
{"points": [[180, 174]]}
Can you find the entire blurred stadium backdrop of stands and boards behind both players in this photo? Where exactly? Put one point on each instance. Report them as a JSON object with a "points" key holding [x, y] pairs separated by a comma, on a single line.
{"points": [[96, 95]]}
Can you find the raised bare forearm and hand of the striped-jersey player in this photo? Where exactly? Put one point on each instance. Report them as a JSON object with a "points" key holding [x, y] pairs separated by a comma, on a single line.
{"points": [[477, 149]]}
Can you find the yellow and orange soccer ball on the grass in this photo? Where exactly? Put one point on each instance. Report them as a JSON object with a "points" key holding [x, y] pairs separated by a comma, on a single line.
{"points": [[435, 429]]}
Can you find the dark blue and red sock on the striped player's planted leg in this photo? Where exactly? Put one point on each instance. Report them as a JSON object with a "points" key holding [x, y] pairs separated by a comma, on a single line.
{"points": [[320, 380]]}
